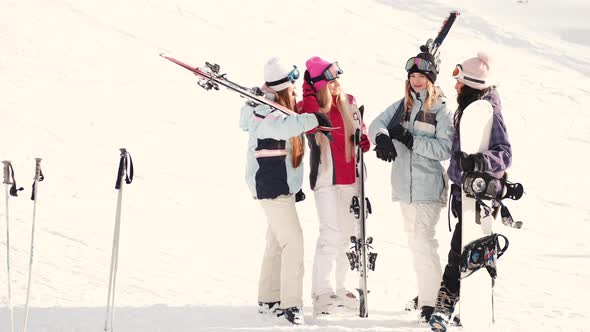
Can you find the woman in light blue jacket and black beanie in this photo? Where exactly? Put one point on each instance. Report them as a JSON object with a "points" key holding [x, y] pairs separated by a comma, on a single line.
{"points": [[417, 139]]}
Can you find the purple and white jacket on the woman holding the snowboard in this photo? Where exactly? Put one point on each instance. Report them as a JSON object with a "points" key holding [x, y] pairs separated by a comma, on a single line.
{"points": [[498, 157]]}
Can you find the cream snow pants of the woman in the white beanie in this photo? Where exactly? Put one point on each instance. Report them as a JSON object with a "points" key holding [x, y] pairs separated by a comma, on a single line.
{"points": [[281, 274]]}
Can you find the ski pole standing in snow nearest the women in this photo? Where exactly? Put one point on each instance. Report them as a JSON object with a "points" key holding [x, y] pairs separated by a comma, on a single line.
{"points": [[125, 171]]}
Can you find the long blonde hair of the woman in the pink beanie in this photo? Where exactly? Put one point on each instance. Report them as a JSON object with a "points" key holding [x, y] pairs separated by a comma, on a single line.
{"points": [[325, 101]]}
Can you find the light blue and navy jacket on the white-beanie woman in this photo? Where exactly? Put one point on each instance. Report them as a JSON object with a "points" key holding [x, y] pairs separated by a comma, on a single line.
{"points": [[269, 170]]}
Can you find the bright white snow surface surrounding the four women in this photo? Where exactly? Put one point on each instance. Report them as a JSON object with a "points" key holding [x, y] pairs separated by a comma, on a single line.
{"points": [[80, 79]]}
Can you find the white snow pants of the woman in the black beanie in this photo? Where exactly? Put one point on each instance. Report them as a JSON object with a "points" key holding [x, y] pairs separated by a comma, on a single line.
{"points": [[420, 221]]}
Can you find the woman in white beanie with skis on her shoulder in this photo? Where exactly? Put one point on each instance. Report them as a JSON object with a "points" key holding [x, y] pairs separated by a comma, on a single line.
{"points": [[274, 173]]}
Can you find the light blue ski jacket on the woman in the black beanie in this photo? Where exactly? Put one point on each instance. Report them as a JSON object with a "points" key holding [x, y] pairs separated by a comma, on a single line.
{"points": [[417, 175]]}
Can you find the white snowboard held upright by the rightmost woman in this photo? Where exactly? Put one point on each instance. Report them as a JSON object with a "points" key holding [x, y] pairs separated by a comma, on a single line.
{"points": [[476, 289]]}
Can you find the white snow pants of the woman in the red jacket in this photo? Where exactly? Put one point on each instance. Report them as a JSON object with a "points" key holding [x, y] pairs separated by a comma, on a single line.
{"points": [[337, 224]]}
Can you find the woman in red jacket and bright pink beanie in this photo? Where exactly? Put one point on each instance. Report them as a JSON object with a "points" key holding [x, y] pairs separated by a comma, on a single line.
{"points": [[333, 180]]}
